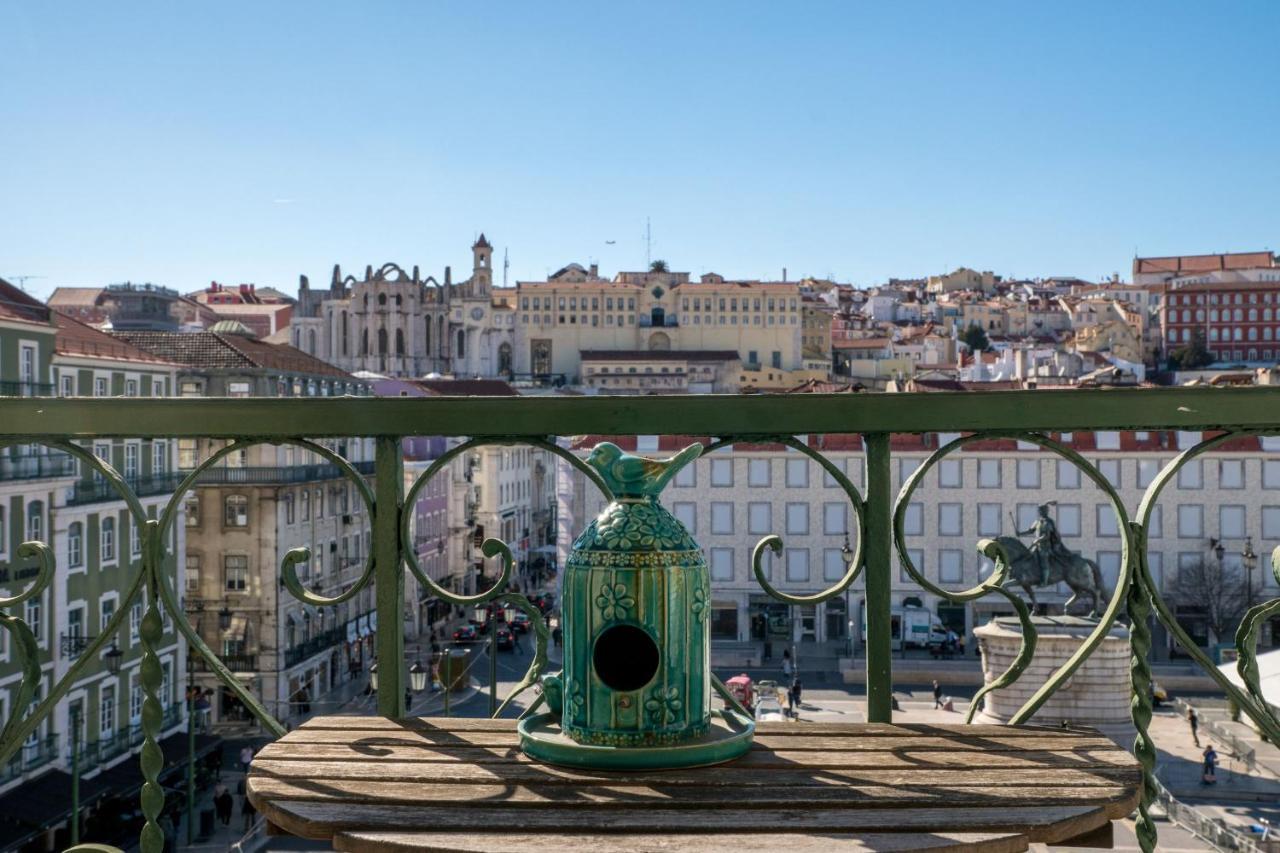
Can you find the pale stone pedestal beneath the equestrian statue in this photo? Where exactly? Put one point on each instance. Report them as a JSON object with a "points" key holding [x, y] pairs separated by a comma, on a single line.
{"points": [[1098, 694]]}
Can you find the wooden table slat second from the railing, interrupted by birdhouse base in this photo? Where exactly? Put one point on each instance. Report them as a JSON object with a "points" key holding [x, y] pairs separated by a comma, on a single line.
{"points": [[821, 743]]}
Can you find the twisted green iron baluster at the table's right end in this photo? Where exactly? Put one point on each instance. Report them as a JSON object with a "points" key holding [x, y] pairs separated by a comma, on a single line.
{"points": [[1139, 605]]}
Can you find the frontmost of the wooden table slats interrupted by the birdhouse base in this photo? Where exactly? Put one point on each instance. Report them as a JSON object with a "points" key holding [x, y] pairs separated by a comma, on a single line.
{"points": [[762, 760]]}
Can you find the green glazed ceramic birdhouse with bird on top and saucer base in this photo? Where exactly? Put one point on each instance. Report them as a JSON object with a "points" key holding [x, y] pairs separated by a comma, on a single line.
{"points": [[636, 690]]}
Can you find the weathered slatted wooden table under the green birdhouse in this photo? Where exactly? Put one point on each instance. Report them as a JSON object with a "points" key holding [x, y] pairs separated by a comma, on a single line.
{"points": [[451, 784]]}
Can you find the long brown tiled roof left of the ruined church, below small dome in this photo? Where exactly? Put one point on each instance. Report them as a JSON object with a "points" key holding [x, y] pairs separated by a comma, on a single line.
{"points": [[216, 352]]}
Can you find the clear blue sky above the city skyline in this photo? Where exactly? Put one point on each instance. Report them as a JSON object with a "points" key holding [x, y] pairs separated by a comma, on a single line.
{"points": [[255, 142]]}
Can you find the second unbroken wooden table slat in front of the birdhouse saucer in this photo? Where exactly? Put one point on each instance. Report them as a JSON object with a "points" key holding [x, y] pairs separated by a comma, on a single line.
{"points": [[920, 796]]}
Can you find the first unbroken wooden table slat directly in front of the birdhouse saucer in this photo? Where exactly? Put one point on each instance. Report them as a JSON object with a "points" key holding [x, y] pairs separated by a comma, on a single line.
{"points": [[529, 773]]}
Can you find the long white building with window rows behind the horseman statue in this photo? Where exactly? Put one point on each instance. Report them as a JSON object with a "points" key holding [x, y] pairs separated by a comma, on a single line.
{"points": [[734, 498]]}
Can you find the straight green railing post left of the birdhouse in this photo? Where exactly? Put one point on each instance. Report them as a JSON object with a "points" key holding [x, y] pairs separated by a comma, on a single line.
{"points": [[390, 576]]}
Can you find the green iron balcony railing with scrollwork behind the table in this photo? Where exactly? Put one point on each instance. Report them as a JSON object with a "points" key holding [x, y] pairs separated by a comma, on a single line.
{"points": [[1030, 417]]}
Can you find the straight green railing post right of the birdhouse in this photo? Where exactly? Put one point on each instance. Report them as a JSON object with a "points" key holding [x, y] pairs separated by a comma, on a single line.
{"points": [[879, 550]]}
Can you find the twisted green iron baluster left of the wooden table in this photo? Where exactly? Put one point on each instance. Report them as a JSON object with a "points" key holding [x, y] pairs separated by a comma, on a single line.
{"points": [[153, 678]]}
